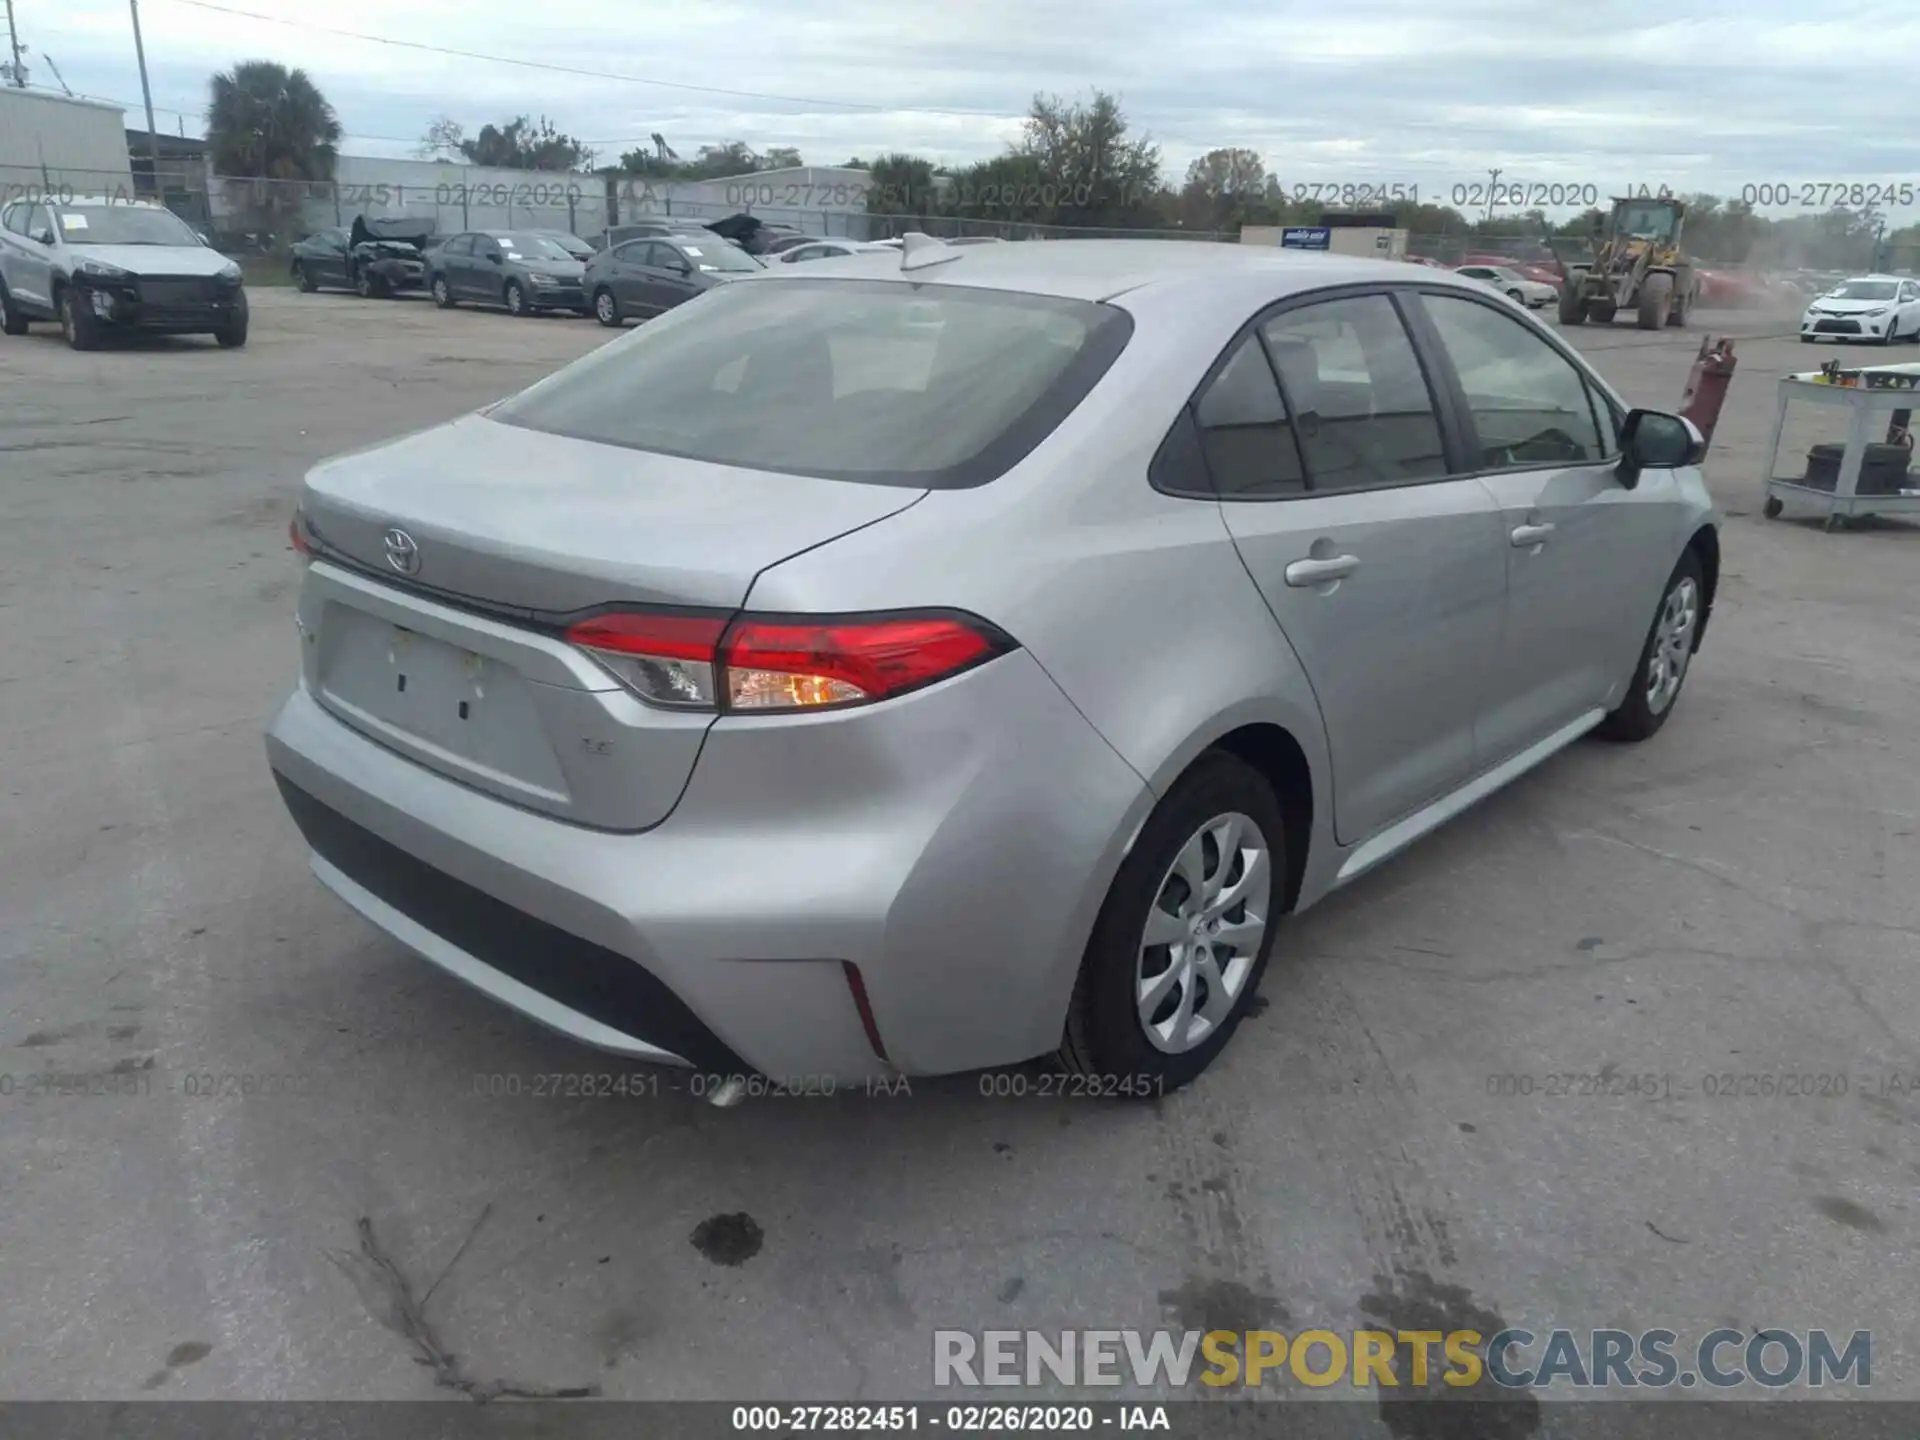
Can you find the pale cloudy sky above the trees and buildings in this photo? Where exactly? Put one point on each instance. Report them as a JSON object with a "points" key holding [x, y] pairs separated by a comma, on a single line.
{"points": [[1712, 95]]}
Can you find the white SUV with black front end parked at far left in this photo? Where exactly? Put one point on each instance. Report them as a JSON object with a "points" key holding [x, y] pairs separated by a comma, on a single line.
{"points": [[99, 266]]}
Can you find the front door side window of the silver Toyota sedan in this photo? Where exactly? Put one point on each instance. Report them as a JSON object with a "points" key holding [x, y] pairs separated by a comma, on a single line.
{"points": [[1529, 404]]}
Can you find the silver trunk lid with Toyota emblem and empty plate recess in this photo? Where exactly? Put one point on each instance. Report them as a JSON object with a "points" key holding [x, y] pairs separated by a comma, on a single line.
{"points": [[458, 661]]}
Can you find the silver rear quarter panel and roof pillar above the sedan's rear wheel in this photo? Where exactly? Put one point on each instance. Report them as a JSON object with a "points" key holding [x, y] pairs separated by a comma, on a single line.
{"points": [[1134, 602]]}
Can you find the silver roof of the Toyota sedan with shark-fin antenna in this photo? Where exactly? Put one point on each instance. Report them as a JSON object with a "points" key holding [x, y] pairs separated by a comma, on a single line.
{"points": [[1105, 270]]}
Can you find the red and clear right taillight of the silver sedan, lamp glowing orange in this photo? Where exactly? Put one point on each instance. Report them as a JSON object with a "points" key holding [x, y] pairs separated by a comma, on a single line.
{"points": [[782, 663]]}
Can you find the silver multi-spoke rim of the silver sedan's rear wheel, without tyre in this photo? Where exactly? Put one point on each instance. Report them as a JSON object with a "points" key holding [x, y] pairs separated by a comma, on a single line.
{"points": [[1203, 934]]}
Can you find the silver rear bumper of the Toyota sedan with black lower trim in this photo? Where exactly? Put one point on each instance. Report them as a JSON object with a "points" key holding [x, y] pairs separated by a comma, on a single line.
{"points": [[948, 848]]}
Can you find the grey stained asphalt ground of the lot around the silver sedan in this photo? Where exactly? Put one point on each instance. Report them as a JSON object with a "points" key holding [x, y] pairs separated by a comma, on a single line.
{"points": [[1385, 1141]]}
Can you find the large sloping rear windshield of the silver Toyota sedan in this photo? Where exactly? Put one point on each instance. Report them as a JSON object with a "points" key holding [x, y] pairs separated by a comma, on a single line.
{"points": [[911, 385]]}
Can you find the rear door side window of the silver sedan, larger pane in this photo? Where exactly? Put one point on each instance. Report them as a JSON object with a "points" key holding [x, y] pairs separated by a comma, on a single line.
{"points": [[1355, 385]]}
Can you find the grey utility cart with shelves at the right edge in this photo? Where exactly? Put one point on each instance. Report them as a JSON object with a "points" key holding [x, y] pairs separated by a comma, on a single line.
{"points": [[1856, 473]]}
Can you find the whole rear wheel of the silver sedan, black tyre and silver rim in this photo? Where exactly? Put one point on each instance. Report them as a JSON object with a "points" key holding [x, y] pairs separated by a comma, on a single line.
{"points": [[1197, 969]]}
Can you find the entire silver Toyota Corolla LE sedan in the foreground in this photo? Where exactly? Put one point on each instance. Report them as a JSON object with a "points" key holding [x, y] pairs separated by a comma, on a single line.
{"points": [[915, 669]]}
